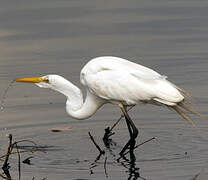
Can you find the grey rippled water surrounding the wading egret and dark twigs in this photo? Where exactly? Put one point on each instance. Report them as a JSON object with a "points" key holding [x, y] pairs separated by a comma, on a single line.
{"points": [[59, 37]]}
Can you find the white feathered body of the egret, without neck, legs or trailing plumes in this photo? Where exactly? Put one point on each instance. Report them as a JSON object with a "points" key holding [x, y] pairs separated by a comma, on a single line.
{"points": [[116, 79]]}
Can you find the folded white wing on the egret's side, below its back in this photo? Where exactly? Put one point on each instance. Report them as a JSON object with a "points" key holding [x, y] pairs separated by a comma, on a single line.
{"points": [[119, 86]]}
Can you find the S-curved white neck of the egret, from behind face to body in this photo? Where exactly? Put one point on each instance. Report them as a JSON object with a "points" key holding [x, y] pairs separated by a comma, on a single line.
{"points": [[75, 105]]}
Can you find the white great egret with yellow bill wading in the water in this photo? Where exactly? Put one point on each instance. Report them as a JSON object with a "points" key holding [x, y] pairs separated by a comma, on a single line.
{"points": [[118, 81]]}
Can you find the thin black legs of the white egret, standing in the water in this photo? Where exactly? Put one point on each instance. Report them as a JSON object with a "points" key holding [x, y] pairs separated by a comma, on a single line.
{"points": [[133, 132]]}
